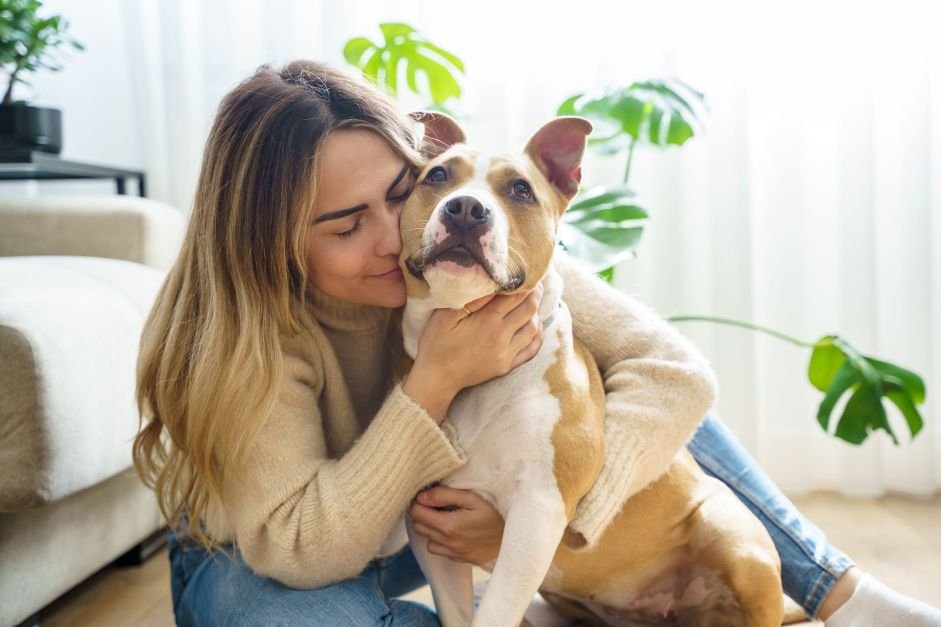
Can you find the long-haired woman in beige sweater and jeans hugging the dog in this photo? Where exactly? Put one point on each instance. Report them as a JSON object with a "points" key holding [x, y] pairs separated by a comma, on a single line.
{"points": [[279, 444]]}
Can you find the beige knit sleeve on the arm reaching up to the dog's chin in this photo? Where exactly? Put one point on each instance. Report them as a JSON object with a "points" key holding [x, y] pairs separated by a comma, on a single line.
{"points": [[307, 520]]}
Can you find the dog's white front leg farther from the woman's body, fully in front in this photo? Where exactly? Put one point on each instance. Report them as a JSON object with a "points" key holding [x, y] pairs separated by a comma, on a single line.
{"points": [[532, 533]]}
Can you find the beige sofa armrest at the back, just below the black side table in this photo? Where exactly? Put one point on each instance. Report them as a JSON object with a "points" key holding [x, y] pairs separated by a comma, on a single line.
{"points": [[116, 227]]}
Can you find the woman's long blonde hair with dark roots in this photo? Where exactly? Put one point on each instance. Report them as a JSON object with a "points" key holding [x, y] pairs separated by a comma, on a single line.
{"points": [[210, 358]]}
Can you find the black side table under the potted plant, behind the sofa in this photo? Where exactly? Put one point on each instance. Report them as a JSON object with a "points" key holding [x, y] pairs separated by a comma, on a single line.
{"points": [[36, 165]]}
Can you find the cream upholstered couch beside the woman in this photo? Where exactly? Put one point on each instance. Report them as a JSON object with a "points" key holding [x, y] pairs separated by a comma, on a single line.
{"points": [[78, 275]]}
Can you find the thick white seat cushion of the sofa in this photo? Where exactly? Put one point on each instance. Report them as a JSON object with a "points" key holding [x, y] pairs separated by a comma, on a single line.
{"points": [[69, 334]]}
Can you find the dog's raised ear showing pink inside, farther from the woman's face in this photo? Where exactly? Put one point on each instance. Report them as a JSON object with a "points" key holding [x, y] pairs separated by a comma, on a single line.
{"points": [[557, 149]]}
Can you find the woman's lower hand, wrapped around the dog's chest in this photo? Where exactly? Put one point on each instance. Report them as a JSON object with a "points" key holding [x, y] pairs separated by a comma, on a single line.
{"points": [[458, 524]]}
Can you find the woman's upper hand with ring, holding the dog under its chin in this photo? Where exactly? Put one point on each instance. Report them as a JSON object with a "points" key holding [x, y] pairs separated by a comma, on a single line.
{"points": [[458, 350]]}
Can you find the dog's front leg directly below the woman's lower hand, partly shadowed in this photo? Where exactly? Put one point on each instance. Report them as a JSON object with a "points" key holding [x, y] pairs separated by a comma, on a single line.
{"points": [[452, 583]]}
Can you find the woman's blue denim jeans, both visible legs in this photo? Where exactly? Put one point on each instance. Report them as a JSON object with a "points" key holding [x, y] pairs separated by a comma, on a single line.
{"points": [[220, 589]]}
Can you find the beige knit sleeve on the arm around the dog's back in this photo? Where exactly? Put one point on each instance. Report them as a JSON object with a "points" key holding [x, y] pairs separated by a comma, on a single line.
{"points": [[658, 387]]}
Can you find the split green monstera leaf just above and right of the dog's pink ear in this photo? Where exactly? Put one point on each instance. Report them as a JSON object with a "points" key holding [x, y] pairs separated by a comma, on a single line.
{"points": [[658, 112]]}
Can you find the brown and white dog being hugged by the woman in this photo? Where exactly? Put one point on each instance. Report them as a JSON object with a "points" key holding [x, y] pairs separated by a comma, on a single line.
{"points": [[684, 551]]}
